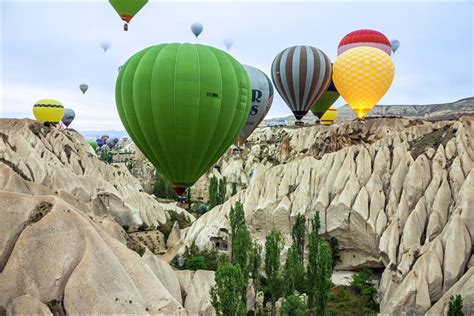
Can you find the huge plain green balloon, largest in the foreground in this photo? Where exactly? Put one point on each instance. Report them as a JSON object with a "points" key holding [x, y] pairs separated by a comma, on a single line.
{"points": [[183, 105]]}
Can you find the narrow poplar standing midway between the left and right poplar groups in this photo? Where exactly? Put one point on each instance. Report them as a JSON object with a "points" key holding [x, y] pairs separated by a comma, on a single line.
{"points": [[273, 248]]}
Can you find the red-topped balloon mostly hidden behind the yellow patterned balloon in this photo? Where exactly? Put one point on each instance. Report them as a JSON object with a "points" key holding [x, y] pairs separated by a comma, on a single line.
{"points": [[370, 38]]}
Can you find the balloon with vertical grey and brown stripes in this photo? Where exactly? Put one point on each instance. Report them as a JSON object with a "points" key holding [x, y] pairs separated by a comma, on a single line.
{"points": [[301, 74]]}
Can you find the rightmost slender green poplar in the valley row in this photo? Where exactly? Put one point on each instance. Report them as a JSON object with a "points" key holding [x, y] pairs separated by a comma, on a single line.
{"points": [[323, 276]]}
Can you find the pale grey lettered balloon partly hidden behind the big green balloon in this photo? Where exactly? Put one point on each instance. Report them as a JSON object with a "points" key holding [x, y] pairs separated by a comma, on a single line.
{"points": [[262, 98]]}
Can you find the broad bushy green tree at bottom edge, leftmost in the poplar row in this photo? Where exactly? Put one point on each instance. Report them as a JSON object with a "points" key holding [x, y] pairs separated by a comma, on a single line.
{"points": [[226, 294]]}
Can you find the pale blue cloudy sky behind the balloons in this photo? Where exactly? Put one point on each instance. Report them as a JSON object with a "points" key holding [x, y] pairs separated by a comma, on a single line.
{"points": [[50, 47]]}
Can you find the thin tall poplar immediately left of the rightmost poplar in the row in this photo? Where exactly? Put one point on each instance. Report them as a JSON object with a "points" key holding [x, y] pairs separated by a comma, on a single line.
{"points": [[313, 254]]}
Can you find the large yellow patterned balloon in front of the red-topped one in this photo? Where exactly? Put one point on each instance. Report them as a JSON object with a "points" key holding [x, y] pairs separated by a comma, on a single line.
{"points": [[362, 76]]}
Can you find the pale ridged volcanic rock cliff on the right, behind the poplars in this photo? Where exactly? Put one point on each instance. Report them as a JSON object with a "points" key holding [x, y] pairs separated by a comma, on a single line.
{"points": [[395, 195]]}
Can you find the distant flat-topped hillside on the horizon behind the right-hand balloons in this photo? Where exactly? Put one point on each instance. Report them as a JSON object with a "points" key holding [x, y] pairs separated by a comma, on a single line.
{"points": [[426, 111]]}
